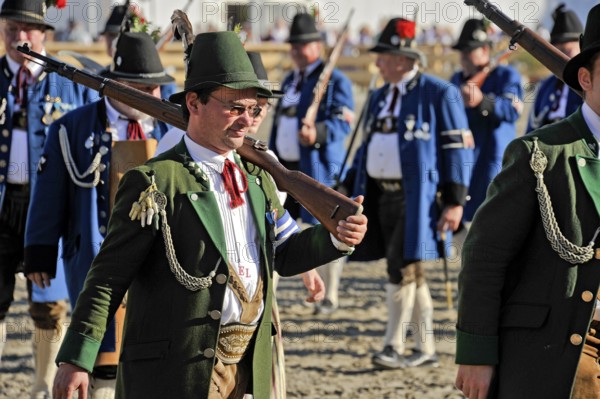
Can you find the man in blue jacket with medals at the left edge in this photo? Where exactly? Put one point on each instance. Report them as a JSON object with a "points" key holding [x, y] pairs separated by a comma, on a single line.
{"points": [[29, 101]]}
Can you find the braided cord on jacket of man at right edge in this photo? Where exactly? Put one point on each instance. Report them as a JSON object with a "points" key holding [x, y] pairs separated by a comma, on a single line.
{"points": [[560, 244]]}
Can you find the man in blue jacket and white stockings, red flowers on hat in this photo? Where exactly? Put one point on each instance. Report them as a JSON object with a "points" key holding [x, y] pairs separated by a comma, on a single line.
{"points": [[413, 169]]}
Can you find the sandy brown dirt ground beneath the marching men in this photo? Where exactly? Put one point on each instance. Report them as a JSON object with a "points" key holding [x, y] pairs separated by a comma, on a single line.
{"points": [[327, 356]]}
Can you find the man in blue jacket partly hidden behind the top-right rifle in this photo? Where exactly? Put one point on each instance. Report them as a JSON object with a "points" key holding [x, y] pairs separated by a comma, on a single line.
{"points": [[555, 100]]}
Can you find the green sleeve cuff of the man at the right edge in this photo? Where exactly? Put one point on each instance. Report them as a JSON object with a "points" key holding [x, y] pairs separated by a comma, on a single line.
{"points": [[476, 349]]}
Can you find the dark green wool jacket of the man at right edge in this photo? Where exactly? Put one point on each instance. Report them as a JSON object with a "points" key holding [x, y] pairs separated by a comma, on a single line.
{"points": [[522, 307]]}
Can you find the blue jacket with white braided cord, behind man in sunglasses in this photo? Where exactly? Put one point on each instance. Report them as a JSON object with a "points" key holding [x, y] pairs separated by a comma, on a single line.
{"points": [[62, 209]]}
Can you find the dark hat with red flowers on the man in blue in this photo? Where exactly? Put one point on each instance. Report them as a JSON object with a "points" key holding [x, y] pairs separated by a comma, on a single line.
{"points": [[398, 37]]}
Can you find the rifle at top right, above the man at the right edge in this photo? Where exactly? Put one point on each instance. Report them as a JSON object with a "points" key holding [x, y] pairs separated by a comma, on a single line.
{"points": [[540, 49]]}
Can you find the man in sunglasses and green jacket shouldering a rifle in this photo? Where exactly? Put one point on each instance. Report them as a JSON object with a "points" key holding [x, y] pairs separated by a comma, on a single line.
{"points": [[194, 238]]}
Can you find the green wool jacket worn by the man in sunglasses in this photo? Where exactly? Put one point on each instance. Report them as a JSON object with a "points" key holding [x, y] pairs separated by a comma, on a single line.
{"points": [[170, 335]]}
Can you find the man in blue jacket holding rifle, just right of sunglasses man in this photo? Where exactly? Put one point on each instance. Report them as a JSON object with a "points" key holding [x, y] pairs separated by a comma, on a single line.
{"points": [[316, 149]]}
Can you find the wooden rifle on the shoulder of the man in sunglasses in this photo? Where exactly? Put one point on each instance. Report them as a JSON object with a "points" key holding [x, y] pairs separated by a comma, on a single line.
{"points": [[326, 204]]}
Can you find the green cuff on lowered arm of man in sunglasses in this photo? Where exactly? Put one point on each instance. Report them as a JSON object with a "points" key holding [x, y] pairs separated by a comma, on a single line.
{"points": [[79, 350]]}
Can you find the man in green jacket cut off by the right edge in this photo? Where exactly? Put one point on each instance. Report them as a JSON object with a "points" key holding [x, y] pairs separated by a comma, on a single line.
{"points": [[529, 318]]}
